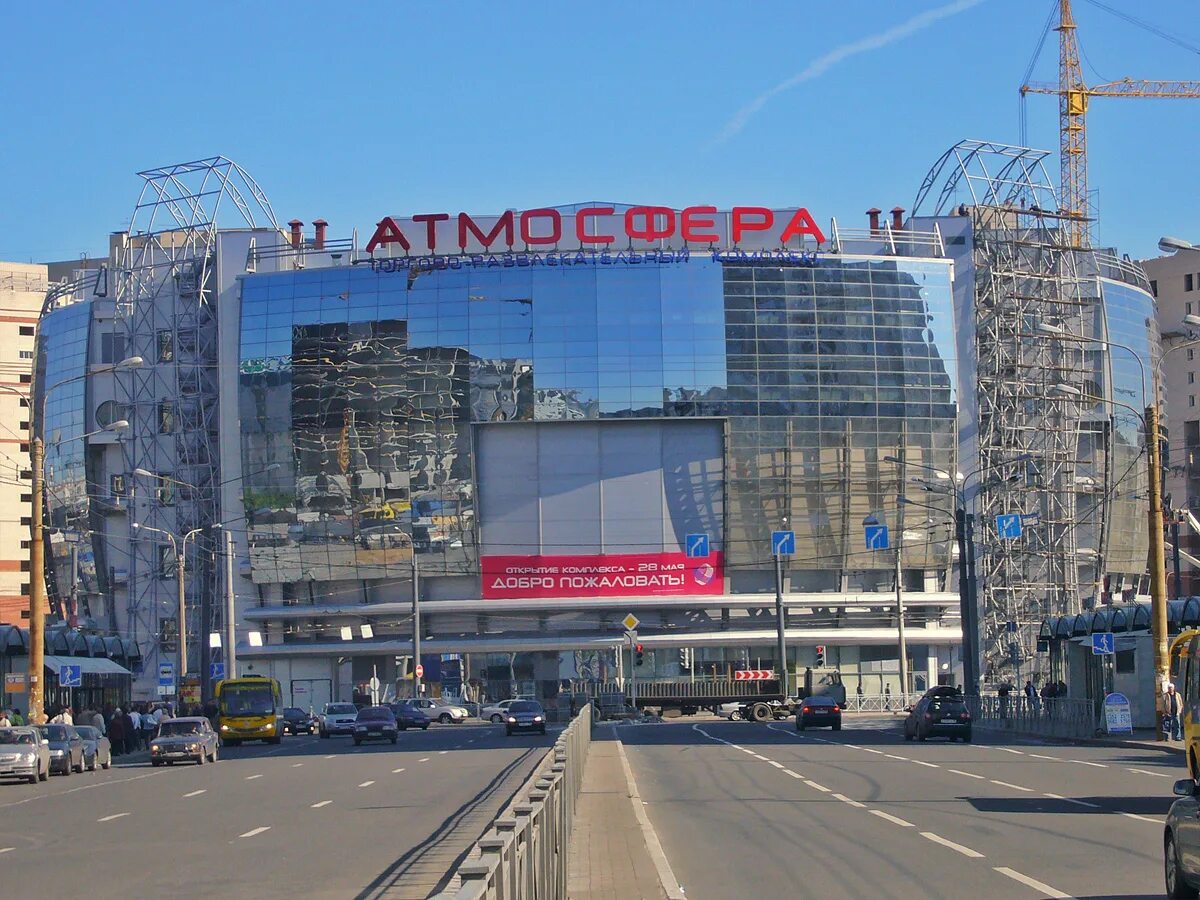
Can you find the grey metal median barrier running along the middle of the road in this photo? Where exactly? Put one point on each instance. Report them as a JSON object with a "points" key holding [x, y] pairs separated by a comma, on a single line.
{"points": [[524, 855]]}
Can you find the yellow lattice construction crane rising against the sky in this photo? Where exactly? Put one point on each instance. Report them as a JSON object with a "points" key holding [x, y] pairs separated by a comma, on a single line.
{"points": [[1073, 99]]}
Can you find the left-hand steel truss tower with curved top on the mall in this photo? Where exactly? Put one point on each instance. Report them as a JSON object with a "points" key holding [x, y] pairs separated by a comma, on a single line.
{"points": [[167, 303]]}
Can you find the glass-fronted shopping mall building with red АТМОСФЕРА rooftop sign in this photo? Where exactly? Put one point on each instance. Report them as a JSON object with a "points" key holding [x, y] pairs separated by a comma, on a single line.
{"points": [[548, 419]]}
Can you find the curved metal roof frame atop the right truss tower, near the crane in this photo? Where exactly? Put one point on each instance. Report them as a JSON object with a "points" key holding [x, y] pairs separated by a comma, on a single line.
{"points": [[994, 175]]}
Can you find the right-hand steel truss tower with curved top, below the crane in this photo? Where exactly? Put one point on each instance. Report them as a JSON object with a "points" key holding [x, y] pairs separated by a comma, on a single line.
{"points": [[1029, 389]]}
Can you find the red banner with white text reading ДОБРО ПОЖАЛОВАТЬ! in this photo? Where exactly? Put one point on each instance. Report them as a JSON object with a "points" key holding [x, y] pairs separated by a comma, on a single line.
{"points": [[602, 575]]}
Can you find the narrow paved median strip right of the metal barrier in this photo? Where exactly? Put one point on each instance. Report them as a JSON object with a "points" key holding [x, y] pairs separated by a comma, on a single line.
{"points": [[609, 859]]}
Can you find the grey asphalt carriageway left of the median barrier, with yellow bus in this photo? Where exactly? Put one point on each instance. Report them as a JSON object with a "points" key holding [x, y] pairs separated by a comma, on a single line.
{"points": [[309, 818]]}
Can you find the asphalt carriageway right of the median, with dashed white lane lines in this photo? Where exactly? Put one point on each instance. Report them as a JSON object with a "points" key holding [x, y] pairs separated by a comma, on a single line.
{"points": [[745, 809]]}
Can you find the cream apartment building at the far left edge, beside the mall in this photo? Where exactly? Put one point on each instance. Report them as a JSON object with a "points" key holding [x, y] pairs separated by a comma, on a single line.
{"points": [[22, 293]]}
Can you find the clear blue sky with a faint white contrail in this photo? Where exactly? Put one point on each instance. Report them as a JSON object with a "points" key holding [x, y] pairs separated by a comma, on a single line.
{"points": [[352, 112]]}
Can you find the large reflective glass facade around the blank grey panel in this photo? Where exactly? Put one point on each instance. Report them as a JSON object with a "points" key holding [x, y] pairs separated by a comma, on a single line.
{"points": [[359, 391]]}
